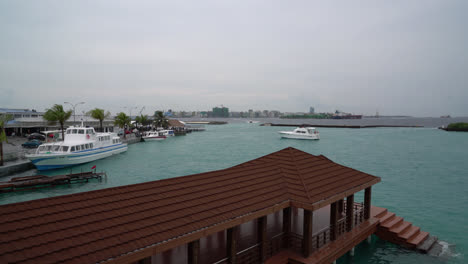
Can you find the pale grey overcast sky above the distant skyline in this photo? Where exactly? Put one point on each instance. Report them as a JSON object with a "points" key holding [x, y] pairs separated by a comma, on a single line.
{"points": [[395, 57]]}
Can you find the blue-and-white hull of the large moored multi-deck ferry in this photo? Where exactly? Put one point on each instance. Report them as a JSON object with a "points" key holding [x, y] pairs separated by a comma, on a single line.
{"points": [[56, 161]]}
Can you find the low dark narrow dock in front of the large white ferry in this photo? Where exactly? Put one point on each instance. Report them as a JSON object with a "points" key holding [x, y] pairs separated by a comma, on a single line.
{"points": [[43, 181]]}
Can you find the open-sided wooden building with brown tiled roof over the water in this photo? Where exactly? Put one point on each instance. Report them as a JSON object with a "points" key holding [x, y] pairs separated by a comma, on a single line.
{"points": [[288, 206]]}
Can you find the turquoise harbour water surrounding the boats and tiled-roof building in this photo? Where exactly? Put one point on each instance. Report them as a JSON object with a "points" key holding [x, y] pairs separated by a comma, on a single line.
{"points": [[423, 173]]}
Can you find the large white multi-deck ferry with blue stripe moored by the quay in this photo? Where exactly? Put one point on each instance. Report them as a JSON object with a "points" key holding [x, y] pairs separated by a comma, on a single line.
{"points": [[81, 145]]}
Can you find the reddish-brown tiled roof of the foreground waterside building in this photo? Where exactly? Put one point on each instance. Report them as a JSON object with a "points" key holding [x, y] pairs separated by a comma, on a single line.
{"points": [[112, 223]]}
